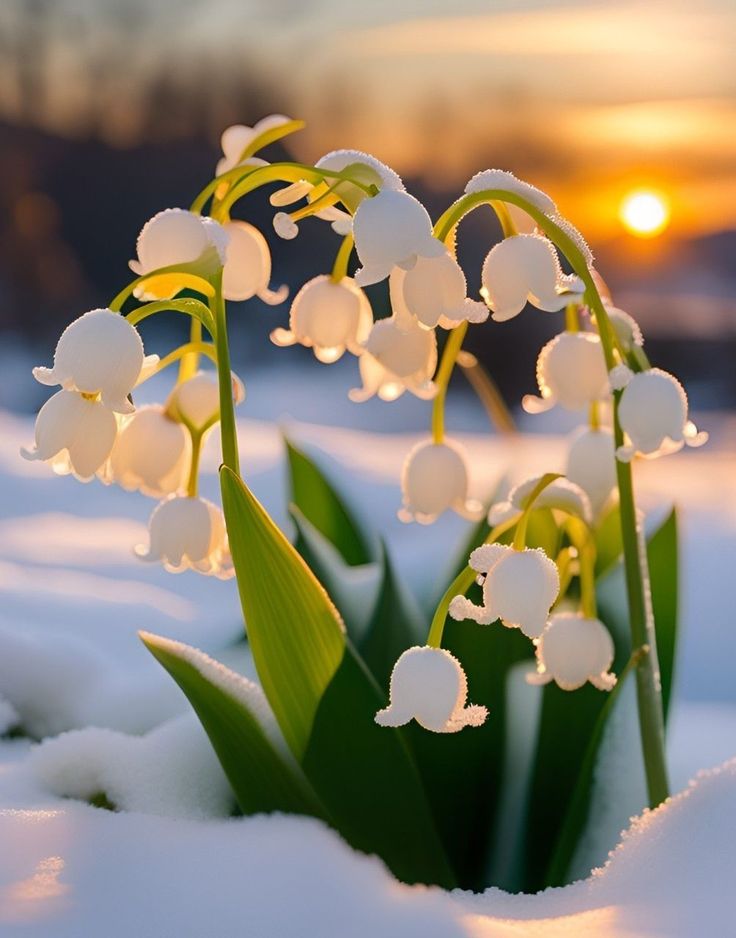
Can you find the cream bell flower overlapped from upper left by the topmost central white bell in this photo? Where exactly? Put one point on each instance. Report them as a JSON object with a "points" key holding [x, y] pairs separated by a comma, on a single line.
{"points": [[434, 292]]}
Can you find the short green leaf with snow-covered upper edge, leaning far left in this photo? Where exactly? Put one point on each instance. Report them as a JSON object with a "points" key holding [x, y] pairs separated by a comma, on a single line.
{"points": [[262, 778]]}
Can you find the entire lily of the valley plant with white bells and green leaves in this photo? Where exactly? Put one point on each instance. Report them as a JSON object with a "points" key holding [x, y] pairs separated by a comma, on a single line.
{"points": [[395, 729]]}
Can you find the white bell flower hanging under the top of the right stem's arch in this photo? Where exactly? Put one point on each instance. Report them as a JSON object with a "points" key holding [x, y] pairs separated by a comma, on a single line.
{"points": [[525, 268]]}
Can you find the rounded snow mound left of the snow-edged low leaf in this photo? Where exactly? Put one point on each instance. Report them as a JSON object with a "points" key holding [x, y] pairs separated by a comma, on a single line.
{"points": [[171, 771]]}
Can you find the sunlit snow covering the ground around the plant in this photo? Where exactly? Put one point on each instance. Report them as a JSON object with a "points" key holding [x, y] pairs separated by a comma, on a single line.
{"points": [[74, 673]]}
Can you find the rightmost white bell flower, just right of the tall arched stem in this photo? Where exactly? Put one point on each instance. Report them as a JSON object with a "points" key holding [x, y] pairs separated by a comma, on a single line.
{"points": [[653, 414]]}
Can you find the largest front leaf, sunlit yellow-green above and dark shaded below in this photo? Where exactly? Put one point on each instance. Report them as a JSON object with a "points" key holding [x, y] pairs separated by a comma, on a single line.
{"points": [[325, 699]]}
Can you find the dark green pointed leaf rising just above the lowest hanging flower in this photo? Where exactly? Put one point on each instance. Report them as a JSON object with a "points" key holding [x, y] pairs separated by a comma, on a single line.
{"points": [[396, 624]]}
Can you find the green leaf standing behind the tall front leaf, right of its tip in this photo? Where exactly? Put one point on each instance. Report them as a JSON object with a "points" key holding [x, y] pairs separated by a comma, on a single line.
{"points": [[318, 501]]}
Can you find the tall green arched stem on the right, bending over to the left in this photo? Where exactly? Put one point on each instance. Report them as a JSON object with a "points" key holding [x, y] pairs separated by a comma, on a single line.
{"points": [[649, 697]]}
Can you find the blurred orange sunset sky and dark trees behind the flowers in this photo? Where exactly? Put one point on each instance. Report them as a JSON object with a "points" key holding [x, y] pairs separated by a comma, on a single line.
{"points": [[111, 110]]}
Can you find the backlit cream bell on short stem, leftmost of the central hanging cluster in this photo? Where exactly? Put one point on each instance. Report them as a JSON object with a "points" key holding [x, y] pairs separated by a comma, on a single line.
{"points": [[328, 317]]}
